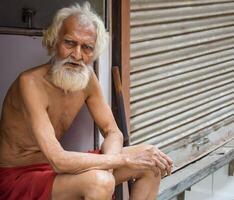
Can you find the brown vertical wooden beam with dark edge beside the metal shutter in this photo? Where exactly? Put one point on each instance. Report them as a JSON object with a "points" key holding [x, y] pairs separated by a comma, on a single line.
{"points": [[120, 28]]}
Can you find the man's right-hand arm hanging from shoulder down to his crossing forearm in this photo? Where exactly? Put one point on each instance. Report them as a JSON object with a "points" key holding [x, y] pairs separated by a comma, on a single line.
{"points": [[102, 114]]}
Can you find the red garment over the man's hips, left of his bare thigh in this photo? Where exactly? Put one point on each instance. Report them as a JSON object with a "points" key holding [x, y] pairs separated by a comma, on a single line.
{"points": [[33, 182]]}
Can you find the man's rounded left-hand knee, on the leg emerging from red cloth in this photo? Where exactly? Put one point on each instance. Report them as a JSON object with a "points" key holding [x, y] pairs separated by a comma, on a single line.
{"points": [[103, 184]]}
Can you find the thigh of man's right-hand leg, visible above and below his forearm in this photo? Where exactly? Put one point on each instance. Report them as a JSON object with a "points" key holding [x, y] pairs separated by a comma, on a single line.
{"points": [[123, 174]]}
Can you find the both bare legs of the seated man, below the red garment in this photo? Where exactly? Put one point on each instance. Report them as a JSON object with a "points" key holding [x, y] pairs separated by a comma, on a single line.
{"points": [[99, 184]]}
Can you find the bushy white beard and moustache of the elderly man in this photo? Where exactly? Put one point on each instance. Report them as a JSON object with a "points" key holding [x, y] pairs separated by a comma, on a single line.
{"points": [[70, 78]]}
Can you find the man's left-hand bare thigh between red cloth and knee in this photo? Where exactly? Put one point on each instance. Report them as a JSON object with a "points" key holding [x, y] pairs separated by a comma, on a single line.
{"points": [[71, 186]]}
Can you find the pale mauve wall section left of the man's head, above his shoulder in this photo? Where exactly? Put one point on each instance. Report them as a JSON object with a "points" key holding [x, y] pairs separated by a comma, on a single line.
{"points": [[18, 53]]}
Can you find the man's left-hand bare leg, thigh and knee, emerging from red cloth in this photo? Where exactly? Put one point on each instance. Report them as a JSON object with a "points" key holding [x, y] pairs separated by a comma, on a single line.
{"points": [[91, 185]]}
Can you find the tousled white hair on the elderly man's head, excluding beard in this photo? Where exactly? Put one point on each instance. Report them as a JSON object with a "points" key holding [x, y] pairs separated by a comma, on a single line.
{"points": [[86, 15]]}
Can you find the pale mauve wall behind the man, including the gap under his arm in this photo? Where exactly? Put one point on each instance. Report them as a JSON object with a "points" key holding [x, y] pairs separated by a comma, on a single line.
{"points": [[18, 53]]}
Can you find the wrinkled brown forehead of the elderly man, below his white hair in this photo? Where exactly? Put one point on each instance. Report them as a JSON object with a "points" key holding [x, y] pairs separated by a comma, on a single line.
{"points": [[78, 25]]}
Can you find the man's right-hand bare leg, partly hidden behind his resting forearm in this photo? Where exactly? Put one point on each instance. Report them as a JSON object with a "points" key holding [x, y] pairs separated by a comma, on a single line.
{"points": [[146, 184]]}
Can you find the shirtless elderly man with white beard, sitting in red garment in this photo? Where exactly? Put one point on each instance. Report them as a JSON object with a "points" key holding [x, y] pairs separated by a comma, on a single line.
{"points": [[41, 105]]}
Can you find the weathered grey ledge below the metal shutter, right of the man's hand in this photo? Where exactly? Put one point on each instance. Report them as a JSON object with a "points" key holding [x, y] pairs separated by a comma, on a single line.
{"points": [[179, 181]]}
